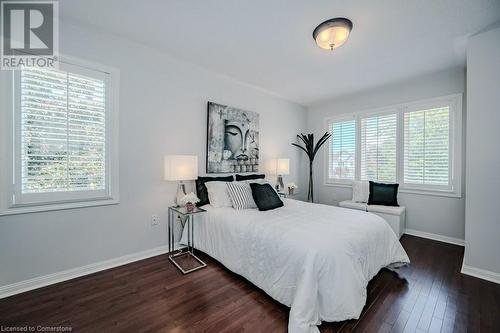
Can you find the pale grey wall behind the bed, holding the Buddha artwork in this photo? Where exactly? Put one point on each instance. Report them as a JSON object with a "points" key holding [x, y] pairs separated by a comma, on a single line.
{"points": [[163, 104]]}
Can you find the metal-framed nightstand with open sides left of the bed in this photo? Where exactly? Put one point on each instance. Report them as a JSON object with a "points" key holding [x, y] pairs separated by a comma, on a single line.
{"points": [[187, 219]]}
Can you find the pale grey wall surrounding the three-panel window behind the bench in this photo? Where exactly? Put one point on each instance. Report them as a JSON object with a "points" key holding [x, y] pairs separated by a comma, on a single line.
{"points": [[432, 214]]}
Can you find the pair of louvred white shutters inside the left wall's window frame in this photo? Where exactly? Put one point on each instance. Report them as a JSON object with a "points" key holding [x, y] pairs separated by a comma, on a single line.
{"points": [[62, 131]]}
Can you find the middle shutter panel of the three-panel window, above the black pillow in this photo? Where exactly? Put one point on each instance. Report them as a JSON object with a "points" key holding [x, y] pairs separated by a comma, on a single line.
{"points": [[378, 147]]}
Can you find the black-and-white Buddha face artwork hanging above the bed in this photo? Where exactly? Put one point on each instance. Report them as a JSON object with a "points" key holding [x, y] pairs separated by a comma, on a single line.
{"points": [[232, 140]]}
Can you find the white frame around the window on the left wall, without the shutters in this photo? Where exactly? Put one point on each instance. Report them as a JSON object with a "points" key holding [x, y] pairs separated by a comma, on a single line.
{"points": [[14, 201]]}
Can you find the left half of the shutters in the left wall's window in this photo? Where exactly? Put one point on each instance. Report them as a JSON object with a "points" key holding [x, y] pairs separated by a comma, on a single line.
{"points": [[43, 130]]}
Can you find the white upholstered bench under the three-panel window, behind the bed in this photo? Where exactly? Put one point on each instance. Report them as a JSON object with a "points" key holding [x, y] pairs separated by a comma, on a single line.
{"points": [[395, 216]]}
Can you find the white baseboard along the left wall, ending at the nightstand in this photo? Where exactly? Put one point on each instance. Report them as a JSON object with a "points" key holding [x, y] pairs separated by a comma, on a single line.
{"points": [[45, 280]]}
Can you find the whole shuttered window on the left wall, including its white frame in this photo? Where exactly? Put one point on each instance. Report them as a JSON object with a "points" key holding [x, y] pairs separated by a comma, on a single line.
{"points": [[64, 125]]}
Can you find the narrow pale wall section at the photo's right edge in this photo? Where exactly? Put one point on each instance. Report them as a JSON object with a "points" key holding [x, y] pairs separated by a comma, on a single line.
{"points": [[482, 211]]}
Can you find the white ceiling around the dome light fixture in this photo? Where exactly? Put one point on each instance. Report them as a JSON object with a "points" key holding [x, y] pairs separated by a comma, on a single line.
{"points": [[268, 43]]}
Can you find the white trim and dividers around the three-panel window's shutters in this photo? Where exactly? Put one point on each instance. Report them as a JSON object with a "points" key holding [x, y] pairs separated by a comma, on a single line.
{"points": [[453, 188]]}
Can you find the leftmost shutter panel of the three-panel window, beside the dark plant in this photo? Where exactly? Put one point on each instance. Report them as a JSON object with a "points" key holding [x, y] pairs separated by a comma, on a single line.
{"points": [[342, 150]]}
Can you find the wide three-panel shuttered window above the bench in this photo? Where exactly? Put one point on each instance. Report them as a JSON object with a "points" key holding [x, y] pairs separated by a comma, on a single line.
{"points": [[417, 145]]}
